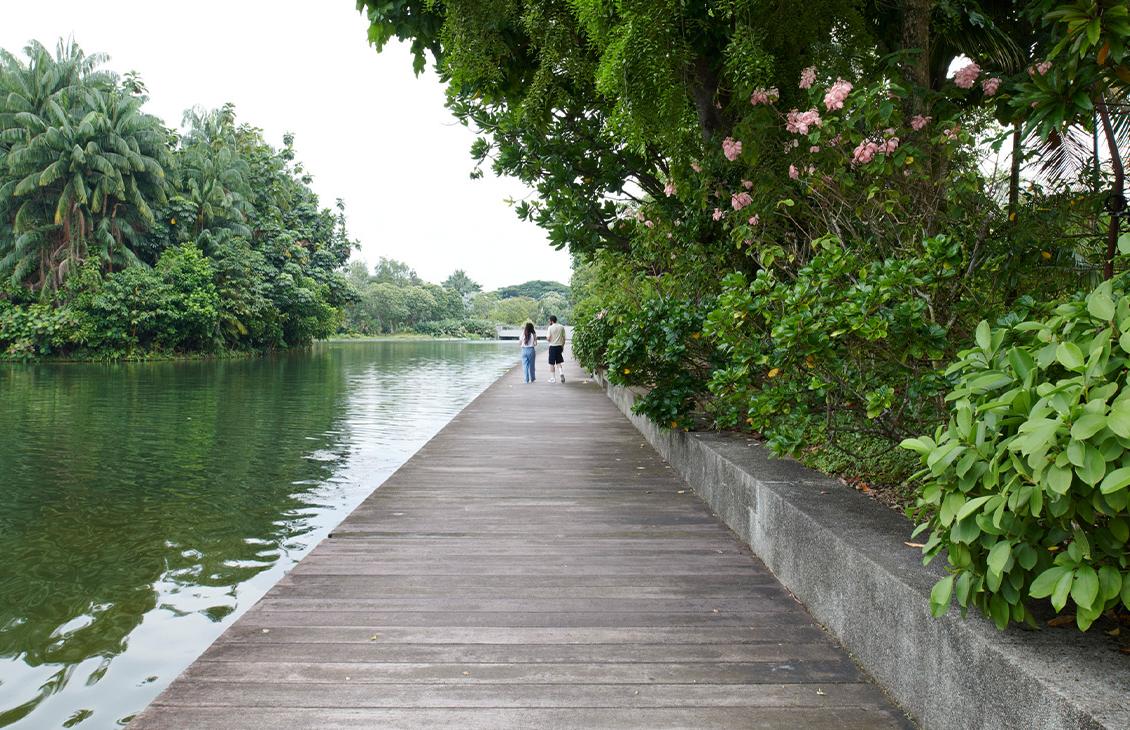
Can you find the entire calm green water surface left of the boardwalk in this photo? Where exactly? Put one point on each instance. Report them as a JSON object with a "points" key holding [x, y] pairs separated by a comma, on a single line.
{"points": [[144, 507]]}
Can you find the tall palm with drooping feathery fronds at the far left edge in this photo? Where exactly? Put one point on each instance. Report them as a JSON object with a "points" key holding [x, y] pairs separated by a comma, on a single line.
{"points": [[81, 167]]}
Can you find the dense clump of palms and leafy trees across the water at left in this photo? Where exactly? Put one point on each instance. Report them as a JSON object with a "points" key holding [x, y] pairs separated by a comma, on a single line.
{"points": [[131, 241]]}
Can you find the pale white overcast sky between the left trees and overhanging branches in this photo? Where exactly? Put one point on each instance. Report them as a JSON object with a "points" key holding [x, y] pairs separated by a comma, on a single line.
{"points": [[368, 129]]}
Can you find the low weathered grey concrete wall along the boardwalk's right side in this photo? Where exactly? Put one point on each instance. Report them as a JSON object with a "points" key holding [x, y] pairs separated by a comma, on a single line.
{"points": [[845, 558]]}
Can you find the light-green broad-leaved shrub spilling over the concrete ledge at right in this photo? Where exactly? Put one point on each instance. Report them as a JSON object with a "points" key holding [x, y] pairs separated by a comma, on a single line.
{"points": [[1027, 486]]}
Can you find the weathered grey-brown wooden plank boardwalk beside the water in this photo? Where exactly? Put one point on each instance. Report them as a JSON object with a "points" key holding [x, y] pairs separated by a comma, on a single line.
{"points": [[535, 566]]}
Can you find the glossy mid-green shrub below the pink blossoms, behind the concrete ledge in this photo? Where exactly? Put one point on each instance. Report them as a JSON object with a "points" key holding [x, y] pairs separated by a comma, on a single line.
{"points": [[840, 337]]}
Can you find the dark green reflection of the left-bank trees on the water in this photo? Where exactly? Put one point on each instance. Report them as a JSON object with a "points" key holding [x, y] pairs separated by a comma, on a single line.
{"points": [[121, 477]]}
